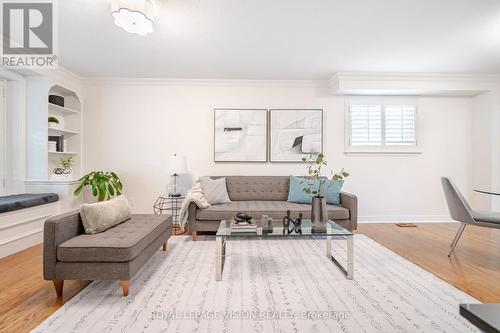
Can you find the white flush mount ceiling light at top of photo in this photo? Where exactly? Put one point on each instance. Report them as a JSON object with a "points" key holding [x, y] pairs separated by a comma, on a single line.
{"points": [[134, 16]]}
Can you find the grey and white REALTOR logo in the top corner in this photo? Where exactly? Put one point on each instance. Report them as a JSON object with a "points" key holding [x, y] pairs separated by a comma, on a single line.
{"points": [[28, 31]]}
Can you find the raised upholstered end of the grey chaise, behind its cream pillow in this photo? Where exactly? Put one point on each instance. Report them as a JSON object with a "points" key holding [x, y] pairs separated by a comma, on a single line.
{"points": [[56, 231]]}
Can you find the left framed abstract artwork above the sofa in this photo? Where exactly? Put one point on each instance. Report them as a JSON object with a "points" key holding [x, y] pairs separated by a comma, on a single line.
{"points": [[240, 135]]}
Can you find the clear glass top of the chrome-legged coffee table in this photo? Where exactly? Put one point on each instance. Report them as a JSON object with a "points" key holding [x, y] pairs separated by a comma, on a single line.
{"points": [[332, 229]]}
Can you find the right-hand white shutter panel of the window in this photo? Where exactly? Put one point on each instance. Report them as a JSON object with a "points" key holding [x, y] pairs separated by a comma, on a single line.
{"points": [[400, 125]]}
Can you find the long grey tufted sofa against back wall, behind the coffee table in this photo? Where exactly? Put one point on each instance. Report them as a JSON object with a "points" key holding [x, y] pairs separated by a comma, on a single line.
{"points": [[259, 195]]}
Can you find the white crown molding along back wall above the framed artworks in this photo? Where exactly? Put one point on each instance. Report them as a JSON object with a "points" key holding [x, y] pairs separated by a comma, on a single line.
{"points": [[205, 82]]}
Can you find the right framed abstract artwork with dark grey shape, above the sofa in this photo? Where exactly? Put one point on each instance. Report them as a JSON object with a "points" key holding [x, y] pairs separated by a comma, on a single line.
{"points": [[295, 133]]}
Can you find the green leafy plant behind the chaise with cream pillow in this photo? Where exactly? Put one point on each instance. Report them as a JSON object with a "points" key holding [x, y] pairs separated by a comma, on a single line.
{"points": [[104, 185]]}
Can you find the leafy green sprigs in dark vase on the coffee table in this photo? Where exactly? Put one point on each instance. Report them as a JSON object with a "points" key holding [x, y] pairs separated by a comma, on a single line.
{"points": [[314, 179]]}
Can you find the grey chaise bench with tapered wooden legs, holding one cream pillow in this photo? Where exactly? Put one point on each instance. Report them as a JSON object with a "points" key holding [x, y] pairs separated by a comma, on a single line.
{"points": [[115, 254]]}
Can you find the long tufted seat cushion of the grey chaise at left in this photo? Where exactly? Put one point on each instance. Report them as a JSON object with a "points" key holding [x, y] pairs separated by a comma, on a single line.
{"points": [[120, 243]]}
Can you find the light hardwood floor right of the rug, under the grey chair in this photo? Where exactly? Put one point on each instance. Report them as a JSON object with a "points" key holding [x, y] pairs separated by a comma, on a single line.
{"points": [[474, 267]]}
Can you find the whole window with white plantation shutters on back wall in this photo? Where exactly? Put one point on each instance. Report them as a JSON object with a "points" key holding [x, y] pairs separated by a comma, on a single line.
{"points": [[381, 126]]}
